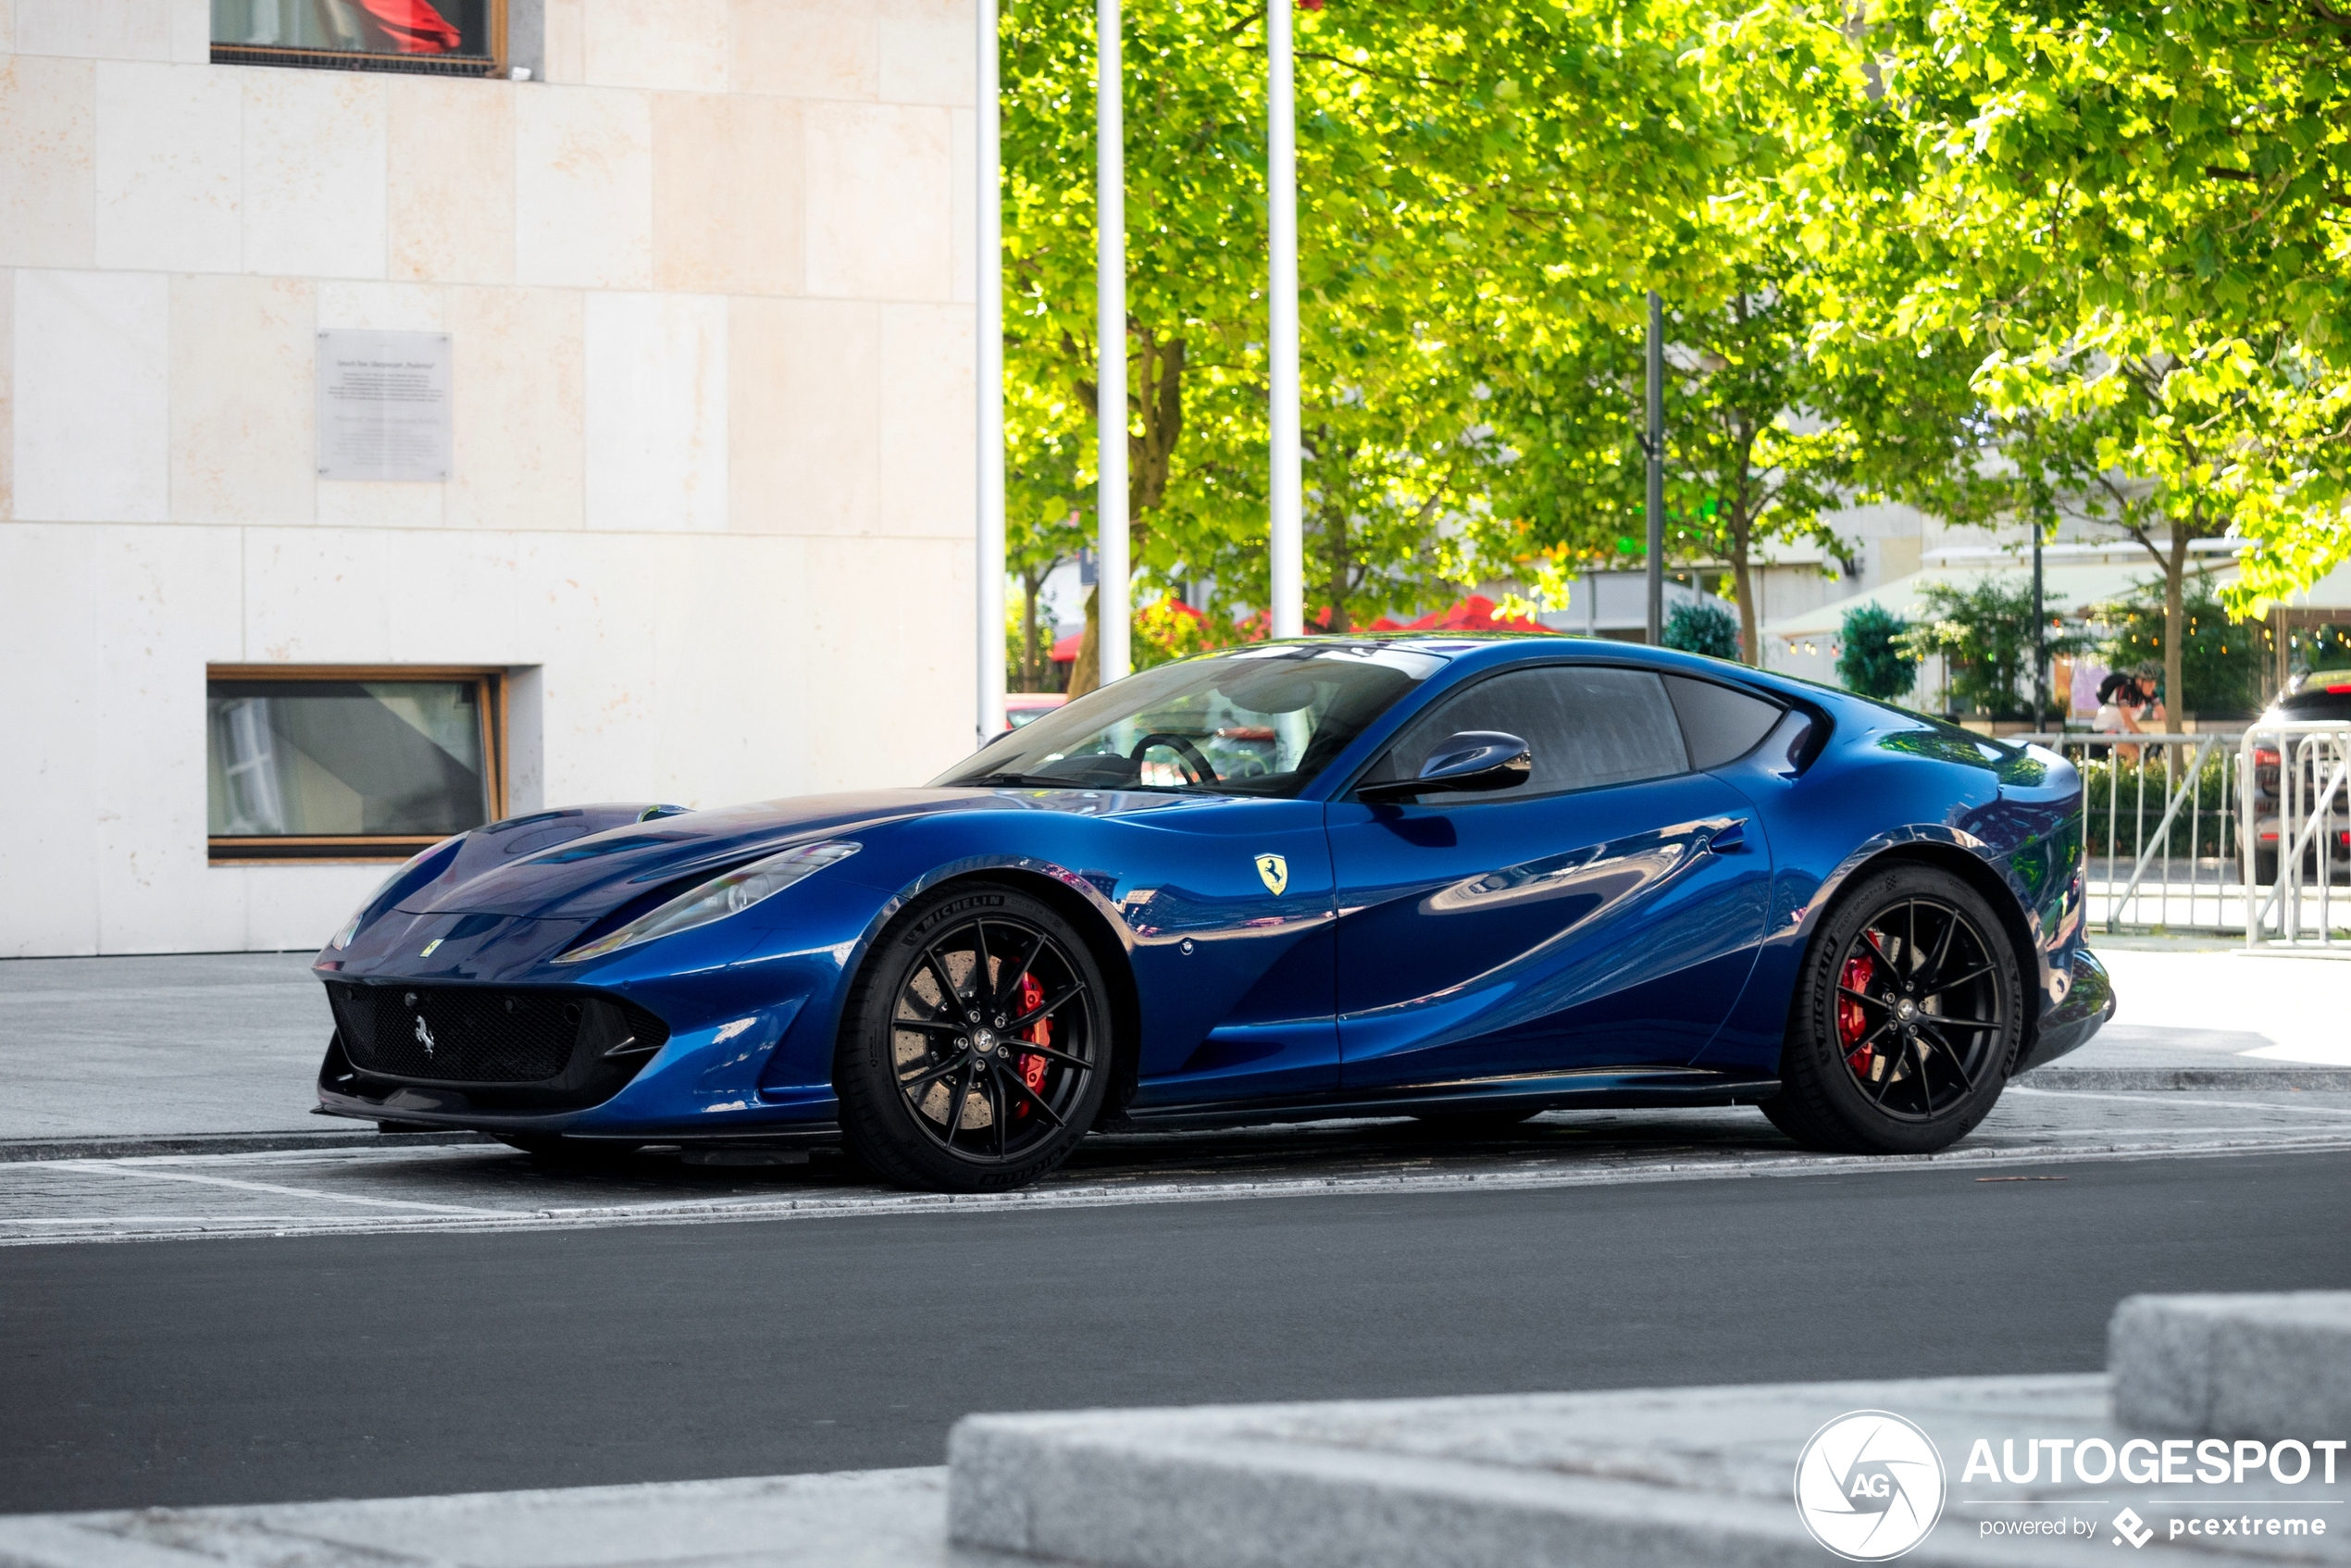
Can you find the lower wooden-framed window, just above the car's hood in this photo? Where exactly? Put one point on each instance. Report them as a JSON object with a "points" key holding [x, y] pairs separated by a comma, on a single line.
{"points": [[349, 763]]}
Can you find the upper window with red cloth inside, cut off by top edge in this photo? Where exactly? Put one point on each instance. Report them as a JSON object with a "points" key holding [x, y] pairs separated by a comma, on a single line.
{"points": [[429, 36]]}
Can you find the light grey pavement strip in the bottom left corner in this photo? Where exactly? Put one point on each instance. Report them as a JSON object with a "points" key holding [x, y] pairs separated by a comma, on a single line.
{"points": [[855, 1520]]}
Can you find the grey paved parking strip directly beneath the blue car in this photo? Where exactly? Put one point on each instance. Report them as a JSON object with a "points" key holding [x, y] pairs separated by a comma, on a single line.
{"points": [[493, 1188]]}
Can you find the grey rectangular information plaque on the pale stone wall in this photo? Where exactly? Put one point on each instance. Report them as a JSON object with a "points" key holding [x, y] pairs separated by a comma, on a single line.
{"points": [[384, 406]]}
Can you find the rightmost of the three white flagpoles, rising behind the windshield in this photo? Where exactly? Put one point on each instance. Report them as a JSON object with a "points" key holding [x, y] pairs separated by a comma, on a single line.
{"points": [[1287, 485]]}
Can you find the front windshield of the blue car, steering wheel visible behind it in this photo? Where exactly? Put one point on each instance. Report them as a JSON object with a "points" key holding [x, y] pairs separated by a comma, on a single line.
{"points": [[1261, 721]]}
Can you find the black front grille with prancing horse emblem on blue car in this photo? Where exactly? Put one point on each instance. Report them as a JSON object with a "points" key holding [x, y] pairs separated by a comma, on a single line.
{"points": [[483, 1036]]}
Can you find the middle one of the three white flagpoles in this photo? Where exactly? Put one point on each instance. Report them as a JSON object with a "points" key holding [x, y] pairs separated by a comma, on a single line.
{"points": [[1116, 615]]}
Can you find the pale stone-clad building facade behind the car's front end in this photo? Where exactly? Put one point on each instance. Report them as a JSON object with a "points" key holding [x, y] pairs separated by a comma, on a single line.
{"points": [[706, 530]]}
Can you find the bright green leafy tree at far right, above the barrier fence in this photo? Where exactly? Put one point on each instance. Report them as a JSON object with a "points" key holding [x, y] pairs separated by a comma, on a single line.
{"points": [[2136, 220]]}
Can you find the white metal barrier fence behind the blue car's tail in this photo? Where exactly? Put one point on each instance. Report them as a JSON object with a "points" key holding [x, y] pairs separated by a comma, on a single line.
{"points": [[2173, 831]]}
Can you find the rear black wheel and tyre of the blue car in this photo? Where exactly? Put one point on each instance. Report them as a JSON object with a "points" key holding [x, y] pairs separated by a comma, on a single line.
{"points": [[1905, 1019]]}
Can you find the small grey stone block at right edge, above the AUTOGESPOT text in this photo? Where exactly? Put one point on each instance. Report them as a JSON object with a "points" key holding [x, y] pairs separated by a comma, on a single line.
{"points": [[2258, 1367]]}
